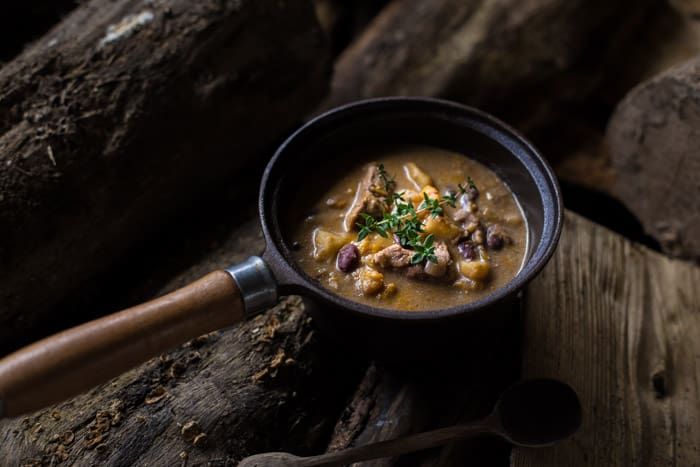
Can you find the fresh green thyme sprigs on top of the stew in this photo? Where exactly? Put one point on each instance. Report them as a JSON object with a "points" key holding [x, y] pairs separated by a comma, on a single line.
{"points": [[404, 222]]}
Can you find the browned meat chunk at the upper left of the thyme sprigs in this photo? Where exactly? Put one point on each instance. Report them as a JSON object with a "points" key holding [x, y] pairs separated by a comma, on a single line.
{"points": [[370, 198]]}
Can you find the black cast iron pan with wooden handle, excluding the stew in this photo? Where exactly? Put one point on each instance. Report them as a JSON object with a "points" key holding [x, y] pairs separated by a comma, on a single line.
{"points": [[75, 360]]}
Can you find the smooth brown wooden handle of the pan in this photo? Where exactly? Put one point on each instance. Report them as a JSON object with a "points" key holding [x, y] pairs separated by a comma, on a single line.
{"points": [[75, 360]]}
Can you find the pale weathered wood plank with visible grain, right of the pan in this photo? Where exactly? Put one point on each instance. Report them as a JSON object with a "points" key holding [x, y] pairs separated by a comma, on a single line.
{"points": [[620, 323]]}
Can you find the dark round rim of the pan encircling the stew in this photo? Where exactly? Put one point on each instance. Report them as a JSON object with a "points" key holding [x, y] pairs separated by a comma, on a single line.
{"points": [[294, 280]]}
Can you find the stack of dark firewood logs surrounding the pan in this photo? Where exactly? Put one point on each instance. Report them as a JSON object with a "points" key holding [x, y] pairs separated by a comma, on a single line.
{"points": [[131, 141]]}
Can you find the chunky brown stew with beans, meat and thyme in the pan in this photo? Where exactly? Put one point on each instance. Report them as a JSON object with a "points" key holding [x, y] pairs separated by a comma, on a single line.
{"points": [[409, 228]]}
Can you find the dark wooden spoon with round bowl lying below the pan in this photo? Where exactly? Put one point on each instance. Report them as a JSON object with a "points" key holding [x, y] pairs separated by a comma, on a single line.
{"points": [[532, 413]]}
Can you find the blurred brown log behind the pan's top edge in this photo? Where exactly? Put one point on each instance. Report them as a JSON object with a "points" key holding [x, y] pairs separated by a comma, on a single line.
{"points": [[485, 53]]}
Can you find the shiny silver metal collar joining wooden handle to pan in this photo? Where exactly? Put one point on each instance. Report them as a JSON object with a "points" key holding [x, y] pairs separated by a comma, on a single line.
{"points": [[256, 283]]}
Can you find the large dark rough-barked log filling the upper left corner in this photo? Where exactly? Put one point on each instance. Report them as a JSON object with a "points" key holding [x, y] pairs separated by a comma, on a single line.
{"points": [[125, 110]]}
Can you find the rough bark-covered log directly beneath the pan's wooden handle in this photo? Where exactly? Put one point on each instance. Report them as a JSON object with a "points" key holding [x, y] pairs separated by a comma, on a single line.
{"points": [[269, 384]]}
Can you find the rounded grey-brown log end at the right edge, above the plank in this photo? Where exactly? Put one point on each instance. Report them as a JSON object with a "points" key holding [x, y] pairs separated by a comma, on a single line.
{"points": [[653, 139]]}
